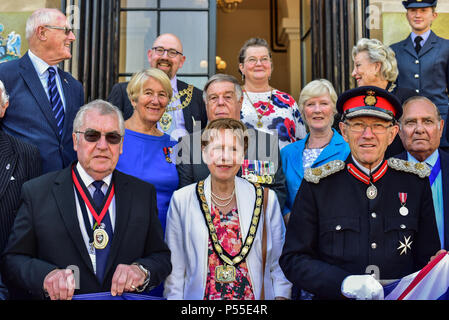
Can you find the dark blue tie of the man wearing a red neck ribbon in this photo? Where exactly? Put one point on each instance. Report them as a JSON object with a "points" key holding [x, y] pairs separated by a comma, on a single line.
{"points": [[102, 254]]}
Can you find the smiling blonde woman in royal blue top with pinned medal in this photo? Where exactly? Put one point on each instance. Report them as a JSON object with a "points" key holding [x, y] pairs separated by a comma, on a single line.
{"points": [[147, 152]]}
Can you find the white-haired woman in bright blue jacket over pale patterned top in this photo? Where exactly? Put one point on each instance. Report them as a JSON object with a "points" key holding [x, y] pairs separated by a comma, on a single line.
{"points": [[321, 145]]}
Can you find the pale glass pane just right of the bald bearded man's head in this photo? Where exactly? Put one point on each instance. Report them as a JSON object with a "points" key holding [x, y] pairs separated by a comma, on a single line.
{"points": [[192, 29]]}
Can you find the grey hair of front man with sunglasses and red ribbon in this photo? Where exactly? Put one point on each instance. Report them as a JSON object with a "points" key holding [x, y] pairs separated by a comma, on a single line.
{"points": [[104, 108]]}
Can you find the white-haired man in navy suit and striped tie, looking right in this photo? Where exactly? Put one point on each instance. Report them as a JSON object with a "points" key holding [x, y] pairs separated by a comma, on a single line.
{"points": [[43, 98]]}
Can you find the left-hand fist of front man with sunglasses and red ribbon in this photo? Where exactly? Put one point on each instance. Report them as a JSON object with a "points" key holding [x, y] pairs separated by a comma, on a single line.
{"points": [[60, 284]]}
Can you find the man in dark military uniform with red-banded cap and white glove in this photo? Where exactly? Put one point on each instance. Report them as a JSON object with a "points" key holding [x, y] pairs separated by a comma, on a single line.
{"points": [[365, 213]]}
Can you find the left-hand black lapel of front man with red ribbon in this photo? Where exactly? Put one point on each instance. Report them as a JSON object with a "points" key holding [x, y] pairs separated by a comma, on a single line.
{"points": [[65, 198]]}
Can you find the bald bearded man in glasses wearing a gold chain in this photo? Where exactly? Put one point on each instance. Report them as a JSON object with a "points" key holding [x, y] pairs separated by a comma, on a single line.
{"points": [[186, 110]]}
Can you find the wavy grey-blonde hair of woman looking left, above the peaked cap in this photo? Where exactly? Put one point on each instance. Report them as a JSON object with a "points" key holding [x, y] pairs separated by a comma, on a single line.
{"points": [[378, 52]]}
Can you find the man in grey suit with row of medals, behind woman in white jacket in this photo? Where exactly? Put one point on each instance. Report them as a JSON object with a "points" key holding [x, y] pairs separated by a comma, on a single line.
{"points": [[223, 97]]}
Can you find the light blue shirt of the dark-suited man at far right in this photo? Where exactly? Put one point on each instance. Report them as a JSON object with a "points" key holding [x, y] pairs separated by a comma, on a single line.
{"points": [[437, 193]]}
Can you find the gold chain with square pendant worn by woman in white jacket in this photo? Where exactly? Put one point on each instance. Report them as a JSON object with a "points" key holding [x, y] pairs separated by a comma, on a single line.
{"points": [[226, 273]]}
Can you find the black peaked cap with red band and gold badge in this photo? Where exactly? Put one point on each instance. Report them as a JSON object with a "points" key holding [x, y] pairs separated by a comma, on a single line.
{"points": [[369, 101]]}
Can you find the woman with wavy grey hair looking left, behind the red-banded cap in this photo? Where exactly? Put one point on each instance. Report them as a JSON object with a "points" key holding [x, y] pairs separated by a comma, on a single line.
{"points": [[375, 65]]}
